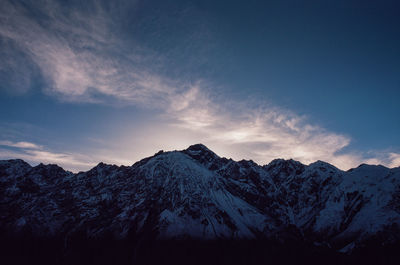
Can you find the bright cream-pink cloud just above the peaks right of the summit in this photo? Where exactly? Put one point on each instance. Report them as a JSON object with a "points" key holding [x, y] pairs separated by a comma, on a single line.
{"points": [[263, 134]]}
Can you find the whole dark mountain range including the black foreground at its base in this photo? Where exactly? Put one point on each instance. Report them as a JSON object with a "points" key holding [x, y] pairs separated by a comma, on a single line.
{"points": [[194, 207]]}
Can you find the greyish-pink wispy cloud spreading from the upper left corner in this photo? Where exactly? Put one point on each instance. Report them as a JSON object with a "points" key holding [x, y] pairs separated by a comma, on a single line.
{"points": [[80, 57]]}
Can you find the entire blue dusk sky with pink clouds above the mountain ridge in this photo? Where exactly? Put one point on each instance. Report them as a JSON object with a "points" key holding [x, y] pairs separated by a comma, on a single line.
{"points": [[97, 81]]}
